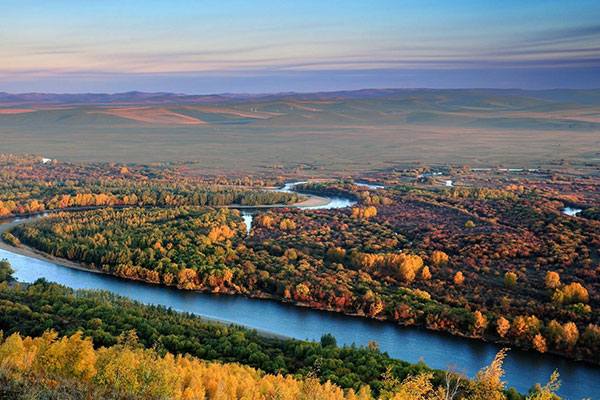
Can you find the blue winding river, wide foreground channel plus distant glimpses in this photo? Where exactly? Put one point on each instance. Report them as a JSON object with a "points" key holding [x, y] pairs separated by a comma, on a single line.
{"points": [[437, 349]]}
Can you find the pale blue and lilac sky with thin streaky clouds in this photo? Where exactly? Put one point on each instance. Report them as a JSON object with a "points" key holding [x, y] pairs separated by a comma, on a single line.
{"points": [[260, 46]]}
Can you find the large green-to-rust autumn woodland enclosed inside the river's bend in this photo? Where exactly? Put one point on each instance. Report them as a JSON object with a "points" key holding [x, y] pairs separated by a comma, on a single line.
{"points": [[481, 266]]}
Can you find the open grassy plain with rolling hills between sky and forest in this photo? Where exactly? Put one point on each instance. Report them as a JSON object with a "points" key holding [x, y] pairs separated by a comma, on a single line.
{"points": [[320, 133]]}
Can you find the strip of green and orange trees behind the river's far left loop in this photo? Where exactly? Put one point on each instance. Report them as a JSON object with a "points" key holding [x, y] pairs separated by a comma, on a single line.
{"points": [[29, 186]]}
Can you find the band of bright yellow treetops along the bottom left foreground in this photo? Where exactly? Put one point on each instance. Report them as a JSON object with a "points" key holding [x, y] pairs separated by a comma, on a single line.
{"points": [[134, 372]]}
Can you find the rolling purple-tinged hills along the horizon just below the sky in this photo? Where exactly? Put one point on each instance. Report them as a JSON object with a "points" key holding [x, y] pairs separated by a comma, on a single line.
{"points": [[469, 108]]}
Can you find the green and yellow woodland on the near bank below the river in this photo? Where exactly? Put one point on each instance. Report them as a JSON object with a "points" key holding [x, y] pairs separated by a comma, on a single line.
{"points": [[61, 344]]}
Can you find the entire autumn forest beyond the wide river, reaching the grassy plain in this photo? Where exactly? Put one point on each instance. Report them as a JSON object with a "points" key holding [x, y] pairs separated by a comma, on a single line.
{"points": [[496, 260]]}
